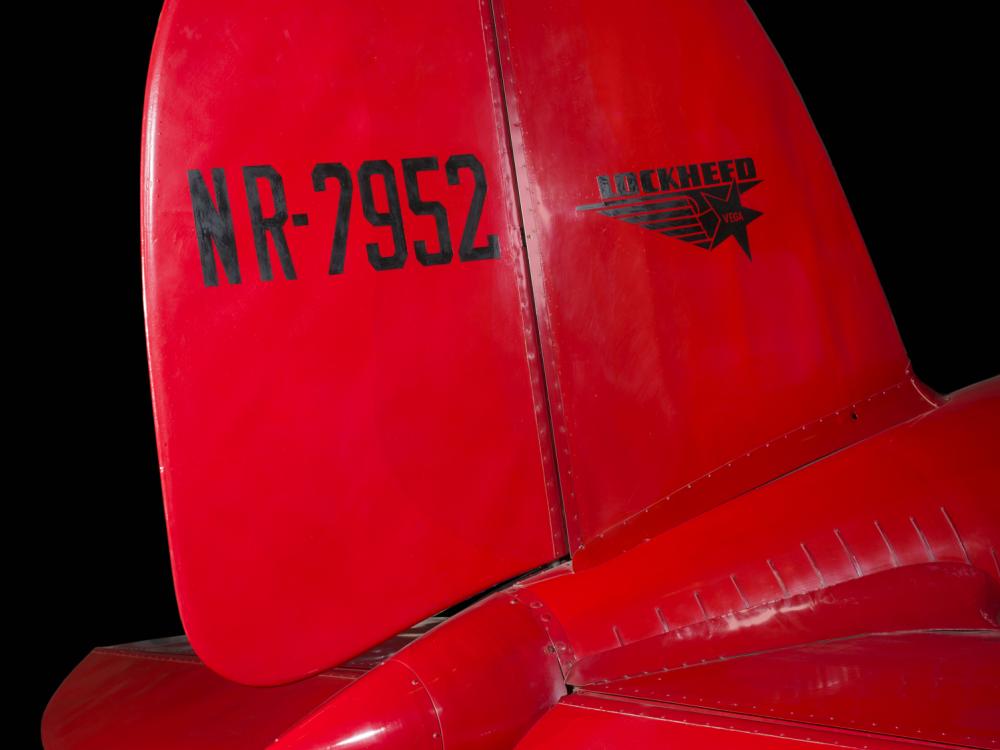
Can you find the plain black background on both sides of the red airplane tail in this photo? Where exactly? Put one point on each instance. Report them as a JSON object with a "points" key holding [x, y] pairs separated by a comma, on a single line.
{"points": [[900, 100]]}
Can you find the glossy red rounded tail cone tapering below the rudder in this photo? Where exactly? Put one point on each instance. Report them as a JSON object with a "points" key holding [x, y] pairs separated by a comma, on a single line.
{"points": [[487, 675]]}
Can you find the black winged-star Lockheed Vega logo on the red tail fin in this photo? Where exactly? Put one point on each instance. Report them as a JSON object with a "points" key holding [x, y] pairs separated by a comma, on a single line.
{"points": [[697, 203]]}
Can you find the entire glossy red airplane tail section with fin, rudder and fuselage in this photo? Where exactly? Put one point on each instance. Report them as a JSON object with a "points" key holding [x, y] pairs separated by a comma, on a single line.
{"points": [[750, 472]]}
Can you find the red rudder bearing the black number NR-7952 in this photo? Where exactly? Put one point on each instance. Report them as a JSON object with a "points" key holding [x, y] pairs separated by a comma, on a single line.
{"points": [[342, 455]]}
